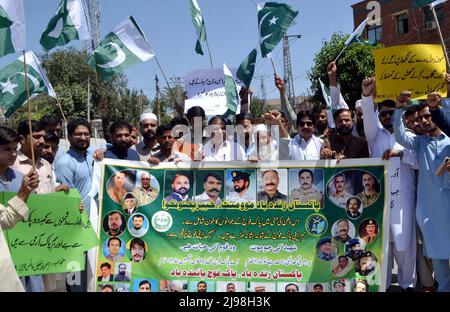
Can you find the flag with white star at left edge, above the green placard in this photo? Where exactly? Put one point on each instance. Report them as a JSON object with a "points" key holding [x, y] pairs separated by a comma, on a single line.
{"points": [[13, 86]]}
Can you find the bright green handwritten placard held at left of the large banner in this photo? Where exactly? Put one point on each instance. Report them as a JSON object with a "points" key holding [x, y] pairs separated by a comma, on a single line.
{"points": [[55, 236]]}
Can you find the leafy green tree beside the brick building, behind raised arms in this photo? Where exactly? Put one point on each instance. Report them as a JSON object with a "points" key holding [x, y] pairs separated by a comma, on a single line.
{"points": [[356, 63]]}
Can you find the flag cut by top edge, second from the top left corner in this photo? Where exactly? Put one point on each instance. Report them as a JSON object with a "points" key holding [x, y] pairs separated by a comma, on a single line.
{"points": [[69, 23]]}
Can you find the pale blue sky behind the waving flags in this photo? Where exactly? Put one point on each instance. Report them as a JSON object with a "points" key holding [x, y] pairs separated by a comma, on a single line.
{"points": [[232, 31]]}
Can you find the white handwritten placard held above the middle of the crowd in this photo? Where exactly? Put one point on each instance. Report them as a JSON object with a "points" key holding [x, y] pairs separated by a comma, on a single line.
{"points": [[206, 88]]}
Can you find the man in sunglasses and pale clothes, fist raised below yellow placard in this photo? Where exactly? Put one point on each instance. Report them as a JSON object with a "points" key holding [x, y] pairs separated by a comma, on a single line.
{"points": [[379, 130]]}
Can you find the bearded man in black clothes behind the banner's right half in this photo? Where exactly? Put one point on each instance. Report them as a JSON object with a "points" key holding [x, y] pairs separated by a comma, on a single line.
{"points": [[343, 144]]}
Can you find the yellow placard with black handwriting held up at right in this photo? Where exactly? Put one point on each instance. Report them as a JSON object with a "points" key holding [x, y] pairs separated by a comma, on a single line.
{"points": [[419, 68]]}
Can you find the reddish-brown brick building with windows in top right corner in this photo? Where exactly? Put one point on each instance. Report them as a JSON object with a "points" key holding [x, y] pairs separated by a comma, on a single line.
{"points": [[401, 23]]}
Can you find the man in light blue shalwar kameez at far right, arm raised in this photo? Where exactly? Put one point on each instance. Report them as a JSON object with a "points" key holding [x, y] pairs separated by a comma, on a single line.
{"points": [[432, 213]]}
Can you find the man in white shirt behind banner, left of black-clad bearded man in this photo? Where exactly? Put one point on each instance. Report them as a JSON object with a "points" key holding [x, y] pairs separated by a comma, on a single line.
{"points": [[305, 146]]}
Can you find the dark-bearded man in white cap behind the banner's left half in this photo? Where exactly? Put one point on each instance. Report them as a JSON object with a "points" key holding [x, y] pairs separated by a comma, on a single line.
{"points": [[149, 146]]}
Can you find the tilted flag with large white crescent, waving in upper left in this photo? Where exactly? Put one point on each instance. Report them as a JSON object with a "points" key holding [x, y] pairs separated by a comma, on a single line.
{"points": [[125, 46]]}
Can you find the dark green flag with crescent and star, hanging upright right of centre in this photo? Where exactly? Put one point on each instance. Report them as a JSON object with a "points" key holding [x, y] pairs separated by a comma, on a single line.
{"points": [[273, 20]]}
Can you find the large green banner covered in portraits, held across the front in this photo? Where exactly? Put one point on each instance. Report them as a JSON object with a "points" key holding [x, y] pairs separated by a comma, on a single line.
{"points": [[319, 231]]}
